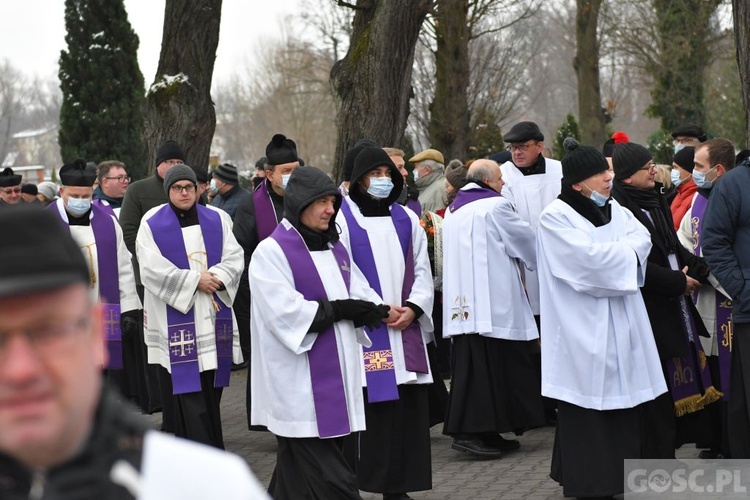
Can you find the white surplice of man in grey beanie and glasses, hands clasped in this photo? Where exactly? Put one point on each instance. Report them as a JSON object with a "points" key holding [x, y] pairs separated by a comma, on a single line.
{"points": [[165, 284]]}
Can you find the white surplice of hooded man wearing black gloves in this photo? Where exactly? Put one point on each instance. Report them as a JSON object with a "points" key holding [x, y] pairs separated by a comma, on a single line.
{"points": [[280, 320]]}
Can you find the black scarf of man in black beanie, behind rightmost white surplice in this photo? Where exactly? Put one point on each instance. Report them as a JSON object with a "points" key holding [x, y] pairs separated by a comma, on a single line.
{"points": [[659, 219]]}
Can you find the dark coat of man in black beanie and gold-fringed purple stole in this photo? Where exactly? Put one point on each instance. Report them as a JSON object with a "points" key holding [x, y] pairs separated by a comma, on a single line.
{"points": [[664, 286]]}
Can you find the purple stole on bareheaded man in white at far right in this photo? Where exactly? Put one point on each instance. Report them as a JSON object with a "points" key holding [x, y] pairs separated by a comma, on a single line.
{"points": [[723, 304]]}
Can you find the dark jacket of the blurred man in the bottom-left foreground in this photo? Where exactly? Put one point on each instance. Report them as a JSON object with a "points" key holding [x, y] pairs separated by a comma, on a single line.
{"points": [[117, 435]]}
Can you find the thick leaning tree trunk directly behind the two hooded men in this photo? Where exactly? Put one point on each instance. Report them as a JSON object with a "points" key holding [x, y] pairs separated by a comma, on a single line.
{"points": [[372, 83]]}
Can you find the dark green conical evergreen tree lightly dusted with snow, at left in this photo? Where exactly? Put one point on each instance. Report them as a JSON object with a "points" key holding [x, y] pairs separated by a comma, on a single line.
{"points": [[102, 86]]}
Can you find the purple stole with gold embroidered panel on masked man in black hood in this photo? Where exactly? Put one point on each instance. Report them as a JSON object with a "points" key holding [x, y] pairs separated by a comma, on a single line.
{"points": [[380, 372]]}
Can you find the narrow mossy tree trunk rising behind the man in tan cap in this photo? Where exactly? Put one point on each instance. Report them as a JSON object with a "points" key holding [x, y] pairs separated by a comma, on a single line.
{"points": [[449, 110]]}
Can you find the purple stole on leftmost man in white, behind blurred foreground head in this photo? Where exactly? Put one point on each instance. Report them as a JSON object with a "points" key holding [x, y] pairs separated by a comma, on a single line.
{"points": [[105, 236]]}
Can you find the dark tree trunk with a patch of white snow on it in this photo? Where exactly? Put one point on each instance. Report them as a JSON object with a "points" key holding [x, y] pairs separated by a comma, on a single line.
{"points": [[178, 105]]}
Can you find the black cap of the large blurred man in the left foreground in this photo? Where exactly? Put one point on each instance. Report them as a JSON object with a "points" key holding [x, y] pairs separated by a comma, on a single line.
{"points": [[27, 264]]}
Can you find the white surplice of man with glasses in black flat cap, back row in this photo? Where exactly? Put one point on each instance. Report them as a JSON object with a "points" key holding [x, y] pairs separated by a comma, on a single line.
{"points": [[530, 194]]}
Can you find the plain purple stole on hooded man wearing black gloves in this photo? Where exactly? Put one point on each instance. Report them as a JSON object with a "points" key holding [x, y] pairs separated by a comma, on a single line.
{"points": [[329, 396]]}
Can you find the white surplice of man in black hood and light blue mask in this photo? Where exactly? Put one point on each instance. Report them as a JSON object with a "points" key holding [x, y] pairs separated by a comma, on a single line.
{"points": [[390, 265]]}
